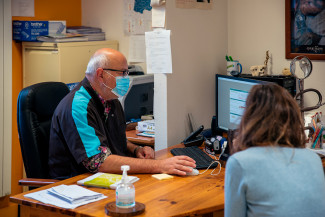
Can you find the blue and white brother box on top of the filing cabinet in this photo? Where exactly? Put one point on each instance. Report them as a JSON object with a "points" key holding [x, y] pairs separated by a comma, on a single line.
{"points": [[30, 30]]}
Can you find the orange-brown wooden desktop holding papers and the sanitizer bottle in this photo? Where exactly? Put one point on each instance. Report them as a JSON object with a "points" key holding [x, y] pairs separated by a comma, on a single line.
{"points": [[180, 196]]}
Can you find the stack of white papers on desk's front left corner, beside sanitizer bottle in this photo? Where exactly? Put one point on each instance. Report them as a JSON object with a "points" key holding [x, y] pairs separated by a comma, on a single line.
{"points": [[66, 196]]}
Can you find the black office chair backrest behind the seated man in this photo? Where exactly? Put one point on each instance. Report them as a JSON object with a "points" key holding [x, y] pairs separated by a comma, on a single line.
{"points": [[35, 107]]}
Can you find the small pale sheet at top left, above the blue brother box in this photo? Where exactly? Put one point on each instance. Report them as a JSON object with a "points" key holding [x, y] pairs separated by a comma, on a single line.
{"points": [[22, 8]]}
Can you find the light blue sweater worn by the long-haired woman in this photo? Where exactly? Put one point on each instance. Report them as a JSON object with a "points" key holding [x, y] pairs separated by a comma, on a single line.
{"points": [[274, 181]]}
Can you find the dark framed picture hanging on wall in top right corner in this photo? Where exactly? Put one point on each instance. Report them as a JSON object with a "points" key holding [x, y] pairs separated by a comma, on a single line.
{"points": [[305, 29]]}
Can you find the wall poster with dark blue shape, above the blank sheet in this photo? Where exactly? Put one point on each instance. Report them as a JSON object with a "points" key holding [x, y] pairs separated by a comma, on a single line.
{"points": [[137, 17]]}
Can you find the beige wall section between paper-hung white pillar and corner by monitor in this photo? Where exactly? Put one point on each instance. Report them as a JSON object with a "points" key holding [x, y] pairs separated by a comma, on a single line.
{"points": [[199, 44]]}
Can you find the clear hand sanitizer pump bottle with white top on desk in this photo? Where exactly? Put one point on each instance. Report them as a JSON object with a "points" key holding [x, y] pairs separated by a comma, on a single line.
{"points": [[125, 191]]}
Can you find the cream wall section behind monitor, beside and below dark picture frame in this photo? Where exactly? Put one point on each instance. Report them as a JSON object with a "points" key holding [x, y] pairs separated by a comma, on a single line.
{"points": [[255, 26]]}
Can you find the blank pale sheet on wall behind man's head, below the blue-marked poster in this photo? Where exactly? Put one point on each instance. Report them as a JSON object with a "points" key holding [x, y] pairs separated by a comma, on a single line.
{"points": [[137, 49]]}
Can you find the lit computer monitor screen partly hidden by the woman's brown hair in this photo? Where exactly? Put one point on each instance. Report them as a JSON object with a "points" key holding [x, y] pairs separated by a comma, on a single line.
{"points": [[231, 94]]}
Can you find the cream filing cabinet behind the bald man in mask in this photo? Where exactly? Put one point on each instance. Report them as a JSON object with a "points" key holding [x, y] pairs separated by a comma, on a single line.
{"points": [[65, 62]]}
